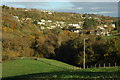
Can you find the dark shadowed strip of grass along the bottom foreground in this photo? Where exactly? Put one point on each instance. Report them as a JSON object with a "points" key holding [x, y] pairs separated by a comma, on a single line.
{"points": [[68, 75]]}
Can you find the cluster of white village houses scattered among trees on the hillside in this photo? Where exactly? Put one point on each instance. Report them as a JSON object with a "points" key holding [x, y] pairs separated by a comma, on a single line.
{"points": [[102, 29]]}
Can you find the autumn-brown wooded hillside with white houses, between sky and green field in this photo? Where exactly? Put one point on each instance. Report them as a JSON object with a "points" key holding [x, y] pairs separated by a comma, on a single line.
{"points": [[59, 36]]}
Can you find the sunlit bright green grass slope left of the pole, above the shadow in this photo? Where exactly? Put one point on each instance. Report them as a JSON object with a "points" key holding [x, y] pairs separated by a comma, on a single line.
{"points": [[30, 66]]}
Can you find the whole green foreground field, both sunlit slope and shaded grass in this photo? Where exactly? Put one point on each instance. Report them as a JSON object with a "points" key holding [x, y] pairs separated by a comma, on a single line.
{"points": [[29, 69]]}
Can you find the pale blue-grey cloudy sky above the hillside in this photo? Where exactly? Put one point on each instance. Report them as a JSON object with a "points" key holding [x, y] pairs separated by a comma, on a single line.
{"points": [[107, 8]]}
